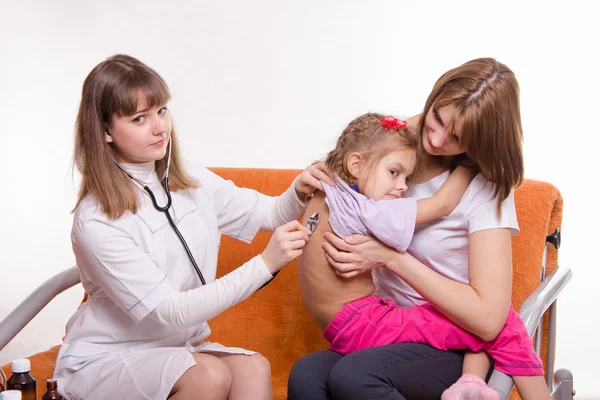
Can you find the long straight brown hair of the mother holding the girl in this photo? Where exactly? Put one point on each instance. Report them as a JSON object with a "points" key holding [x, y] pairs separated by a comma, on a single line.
{"points": [[485, 94]]}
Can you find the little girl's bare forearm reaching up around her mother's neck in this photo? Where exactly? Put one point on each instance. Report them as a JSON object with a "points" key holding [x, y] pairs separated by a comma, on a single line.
{"points": [[447, 198]]}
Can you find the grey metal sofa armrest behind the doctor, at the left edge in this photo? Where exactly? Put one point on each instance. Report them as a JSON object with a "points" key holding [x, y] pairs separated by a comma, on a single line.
{"points": [[35, 302]]}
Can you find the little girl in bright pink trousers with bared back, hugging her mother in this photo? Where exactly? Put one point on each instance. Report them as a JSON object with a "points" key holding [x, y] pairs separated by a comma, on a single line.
{"points": [[373, 160]]}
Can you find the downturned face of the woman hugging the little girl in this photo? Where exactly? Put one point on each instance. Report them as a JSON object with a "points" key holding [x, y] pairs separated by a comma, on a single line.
{"points": [[438, 137]]}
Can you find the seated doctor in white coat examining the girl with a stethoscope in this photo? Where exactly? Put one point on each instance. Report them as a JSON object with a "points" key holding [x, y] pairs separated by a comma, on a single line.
{"points": [[141, 334]]}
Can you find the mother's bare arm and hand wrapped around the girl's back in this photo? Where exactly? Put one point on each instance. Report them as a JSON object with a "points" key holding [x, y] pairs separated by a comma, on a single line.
{"points": [[480, 307]]}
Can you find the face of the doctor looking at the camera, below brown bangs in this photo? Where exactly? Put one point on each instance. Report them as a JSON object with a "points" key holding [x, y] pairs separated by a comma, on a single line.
{"points": [[143, 136]]}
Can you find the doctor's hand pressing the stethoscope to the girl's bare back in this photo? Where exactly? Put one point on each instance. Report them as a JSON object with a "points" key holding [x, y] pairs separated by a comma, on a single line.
{"points": [[285, 245]]}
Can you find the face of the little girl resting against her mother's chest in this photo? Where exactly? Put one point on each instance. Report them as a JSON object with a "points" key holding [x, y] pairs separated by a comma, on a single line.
{"points": [[388, 180]]}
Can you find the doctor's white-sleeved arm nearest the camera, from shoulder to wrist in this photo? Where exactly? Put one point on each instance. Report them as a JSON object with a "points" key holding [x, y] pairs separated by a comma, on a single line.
{"points": [[111, 260]]}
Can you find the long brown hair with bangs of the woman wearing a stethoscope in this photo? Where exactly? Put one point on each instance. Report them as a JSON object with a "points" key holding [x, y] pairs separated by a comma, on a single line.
{"points": [[112, 88]]}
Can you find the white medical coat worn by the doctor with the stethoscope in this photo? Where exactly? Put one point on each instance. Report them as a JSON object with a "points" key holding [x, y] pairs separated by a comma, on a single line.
{"points": [[130, 265]]}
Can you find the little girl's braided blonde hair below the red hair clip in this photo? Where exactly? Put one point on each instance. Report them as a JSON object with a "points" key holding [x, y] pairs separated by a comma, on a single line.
{"points": [[368, 136]]}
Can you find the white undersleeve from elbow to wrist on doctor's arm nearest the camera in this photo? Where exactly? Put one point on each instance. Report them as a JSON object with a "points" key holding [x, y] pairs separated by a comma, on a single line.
{"points": [[185, 309]]}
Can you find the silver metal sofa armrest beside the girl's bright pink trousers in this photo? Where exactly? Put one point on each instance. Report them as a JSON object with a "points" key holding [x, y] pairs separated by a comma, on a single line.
{"points": [[531, 312]]}
